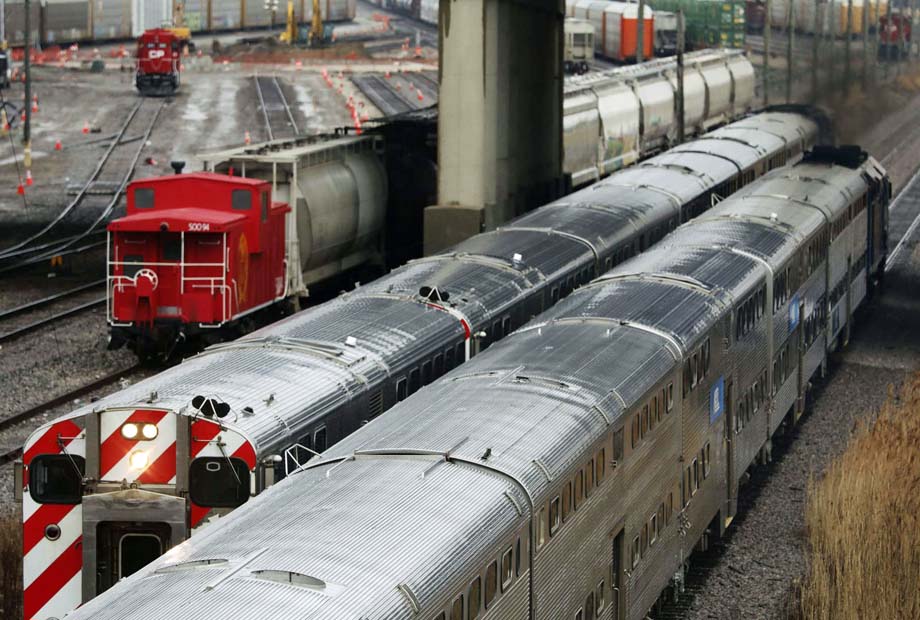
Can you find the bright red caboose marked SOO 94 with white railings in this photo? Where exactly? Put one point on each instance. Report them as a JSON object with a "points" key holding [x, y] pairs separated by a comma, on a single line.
{"points": [[195, 254]]}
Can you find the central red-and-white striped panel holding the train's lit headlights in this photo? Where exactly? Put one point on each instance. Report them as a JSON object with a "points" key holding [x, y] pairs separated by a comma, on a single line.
{"points": [[115, 451]]}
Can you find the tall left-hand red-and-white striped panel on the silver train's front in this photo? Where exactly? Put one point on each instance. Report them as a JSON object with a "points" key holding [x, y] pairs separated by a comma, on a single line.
{"points": [[52, 579]]}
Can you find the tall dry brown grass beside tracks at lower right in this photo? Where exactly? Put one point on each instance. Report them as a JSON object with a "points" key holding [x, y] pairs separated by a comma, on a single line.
{"points": [[863, 521]]}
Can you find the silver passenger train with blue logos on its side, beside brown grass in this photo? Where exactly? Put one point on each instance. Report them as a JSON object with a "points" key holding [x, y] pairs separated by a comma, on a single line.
{"points": [[568, 472]]}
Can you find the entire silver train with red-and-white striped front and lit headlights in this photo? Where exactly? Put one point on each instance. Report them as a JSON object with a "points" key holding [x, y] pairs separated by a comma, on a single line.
{"points": [[110, 486]]}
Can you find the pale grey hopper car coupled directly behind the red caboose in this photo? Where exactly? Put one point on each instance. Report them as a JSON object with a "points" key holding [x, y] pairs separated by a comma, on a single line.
{"points": [[337, 189]]}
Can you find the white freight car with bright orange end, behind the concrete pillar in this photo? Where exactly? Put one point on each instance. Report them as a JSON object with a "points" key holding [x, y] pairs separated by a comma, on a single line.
{"points": [[616, 27]]}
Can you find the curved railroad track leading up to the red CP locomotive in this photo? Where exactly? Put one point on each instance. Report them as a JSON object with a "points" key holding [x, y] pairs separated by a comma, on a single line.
{"points": [[80, 226]]}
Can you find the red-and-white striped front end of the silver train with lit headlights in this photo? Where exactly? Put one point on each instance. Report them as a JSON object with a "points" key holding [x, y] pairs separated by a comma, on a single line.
{"points": [[106, 492]]}
